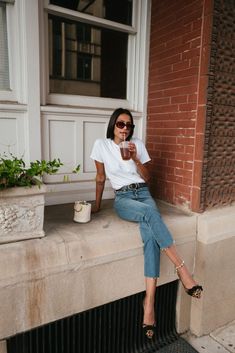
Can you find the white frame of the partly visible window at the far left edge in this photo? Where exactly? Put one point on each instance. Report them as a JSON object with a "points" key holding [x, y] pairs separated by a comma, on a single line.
{"points": [[14, 50]]}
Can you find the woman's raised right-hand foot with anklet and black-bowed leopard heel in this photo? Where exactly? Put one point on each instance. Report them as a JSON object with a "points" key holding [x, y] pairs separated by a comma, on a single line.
{"points": [[190, 286]]}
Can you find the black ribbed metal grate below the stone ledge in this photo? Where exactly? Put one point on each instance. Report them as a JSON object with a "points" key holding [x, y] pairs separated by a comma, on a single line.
{"points": [[111, 328]]}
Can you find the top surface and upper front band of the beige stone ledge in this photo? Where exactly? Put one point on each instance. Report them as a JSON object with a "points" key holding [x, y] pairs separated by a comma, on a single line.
{"points": [[68, 244]]}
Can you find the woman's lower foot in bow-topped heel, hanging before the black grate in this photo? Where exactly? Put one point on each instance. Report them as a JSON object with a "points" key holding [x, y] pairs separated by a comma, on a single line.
{"points": [[149, 323]]}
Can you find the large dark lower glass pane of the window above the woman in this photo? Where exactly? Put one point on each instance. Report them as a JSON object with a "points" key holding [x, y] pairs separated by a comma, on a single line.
{"points": [[81, 61]]}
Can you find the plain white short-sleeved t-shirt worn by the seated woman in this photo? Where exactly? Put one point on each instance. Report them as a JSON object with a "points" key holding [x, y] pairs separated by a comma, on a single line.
{"points": [[119, 172]]}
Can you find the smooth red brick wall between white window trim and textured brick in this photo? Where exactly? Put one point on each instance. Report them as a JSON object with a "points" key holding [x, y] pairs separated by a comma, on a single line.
{"points": [[177, 28]]}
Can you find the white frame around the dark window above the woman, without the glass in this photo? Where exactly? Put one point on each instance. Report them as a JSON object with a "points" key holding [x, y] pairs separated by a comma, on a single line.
{"points": [[136, 65]]}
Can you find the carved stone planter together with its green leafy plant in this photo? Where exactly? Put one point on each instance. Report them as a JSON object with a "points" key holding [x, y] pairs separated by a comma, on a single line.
{"points": [[22, 197]]}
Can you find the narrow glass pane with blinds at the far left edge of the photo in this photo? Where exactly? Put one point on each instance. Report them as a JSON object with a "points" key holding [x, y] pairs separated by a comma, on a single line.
{"points": [[4, 65]]}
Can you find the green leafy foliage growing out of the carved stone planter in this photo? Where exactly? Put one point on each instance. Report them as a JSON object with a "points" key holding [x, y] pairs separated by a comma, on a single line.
{"points": [[13, 171]]}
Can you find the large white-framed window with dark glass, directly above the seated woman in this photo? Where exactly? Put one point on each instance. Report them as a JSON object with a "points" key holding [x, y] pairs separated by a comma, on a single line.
{"points": [[96, 52]]}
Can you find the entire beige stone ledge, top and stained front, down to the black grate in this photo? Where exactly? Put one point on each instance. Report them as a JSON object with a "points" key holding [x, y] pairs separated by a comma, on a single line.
{"points": [[76, 267]]}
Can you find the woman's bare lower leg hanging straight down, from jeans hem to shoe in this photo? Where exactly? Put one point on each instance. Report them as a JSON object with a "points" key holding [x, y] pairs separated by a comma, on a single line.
{"points": [[149, 301]]}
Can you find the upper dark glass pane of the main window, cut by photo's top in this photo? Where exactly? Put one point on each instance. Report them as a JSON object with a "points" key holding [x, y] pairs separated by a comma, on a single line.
{"points": [[113, 10]]}
